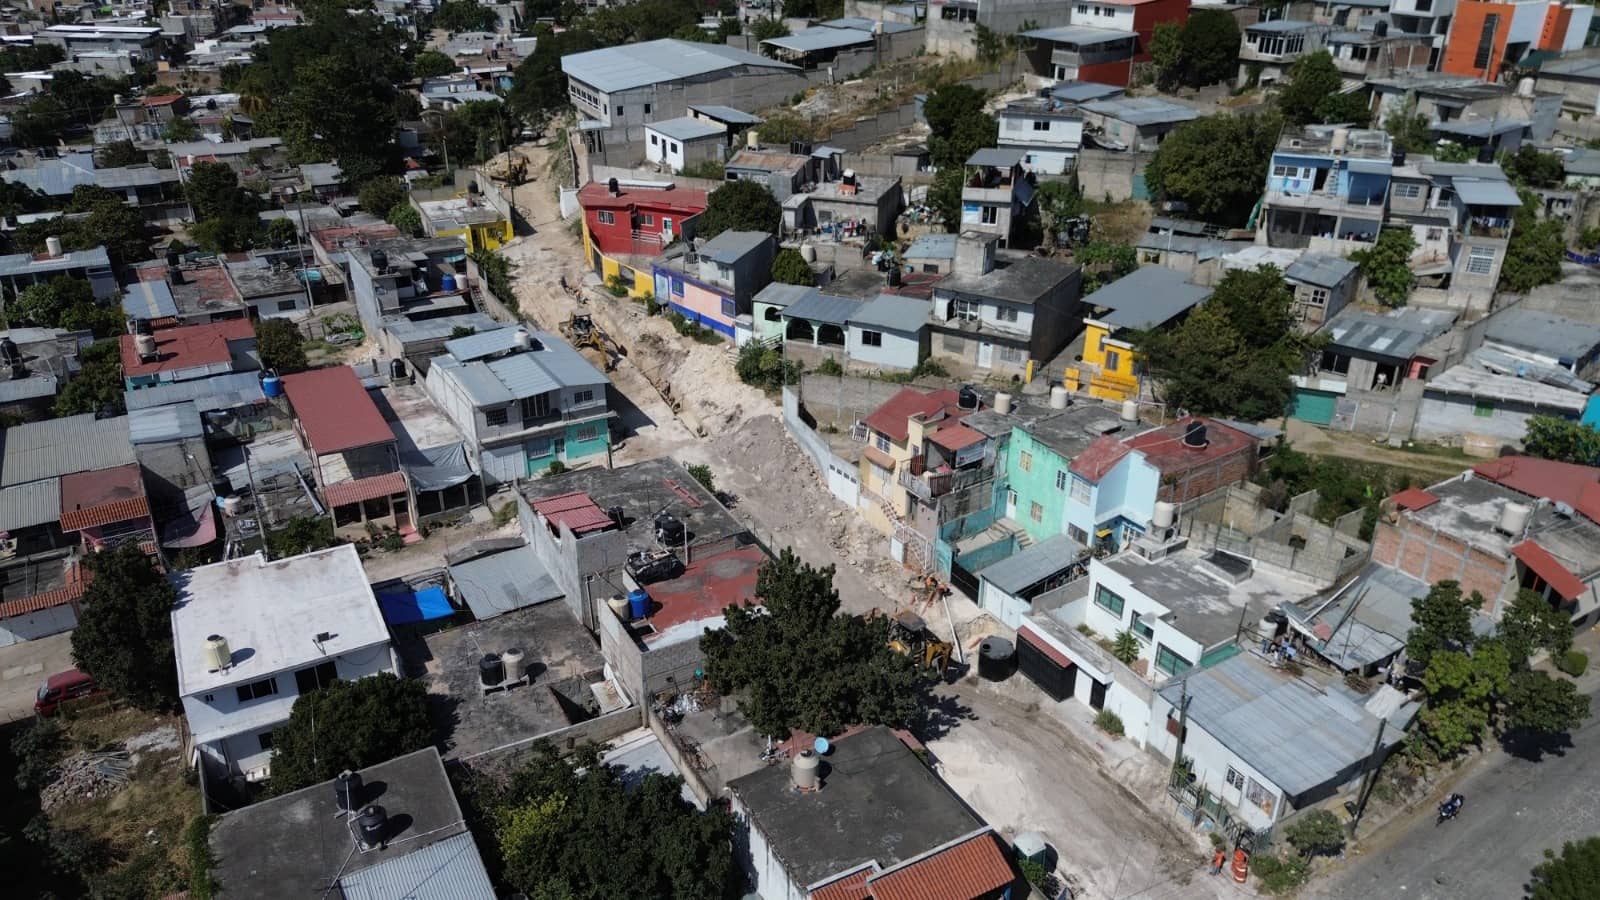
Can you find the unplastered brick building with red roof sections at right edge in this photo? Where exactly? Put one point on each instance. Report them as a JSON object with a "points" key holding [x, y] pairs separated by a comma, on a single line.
{"points": [[1508, 524]]}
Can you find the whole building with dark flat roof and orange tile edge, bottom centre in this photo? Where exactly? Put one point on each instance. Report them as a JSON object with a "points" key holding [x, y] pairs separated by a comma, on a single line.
{"points": [[830, 845]]}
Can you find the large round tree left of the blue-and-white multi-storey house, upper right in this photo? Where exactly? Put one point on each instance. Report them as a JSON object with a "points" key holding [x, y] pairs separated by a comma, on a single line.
{"points": [[1215, 164]]}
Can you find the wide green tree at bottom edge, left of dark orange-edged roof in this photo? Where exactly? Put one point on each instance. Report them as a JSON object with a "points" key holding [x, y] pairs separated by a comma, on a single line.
{"points": [[561, 829]]}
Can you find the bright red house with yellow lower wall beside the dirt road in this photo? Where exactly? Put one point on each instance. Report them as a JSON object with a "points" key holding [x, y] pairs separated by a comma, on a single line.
{"points": [[628, 227]]}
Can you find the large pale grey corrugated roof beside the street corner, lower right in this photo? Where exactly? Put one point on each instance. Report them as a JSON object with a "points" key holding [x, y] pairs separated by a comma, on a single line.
{"points": [[1297, 733]]}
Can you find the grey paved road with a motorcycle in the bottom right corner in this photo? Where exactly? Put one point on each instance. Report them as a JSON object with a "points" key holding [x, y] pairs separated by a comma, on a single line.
{"points": [[1514, 811]]}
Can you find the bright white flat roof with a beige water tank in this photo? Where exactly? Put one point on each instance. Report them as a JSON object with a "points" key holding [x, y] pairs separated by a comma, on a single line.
{"points": [[273, 614]]}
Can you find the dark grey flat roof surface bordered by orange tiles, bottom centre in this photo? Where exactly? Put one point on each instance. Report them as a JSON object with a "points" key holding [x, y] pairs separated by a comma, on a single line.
{"points": [[879, 803]]}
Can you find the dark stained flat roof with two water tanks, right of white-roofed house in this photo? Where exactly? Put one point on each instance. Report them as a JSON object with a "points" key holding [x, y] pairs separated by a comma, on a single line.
{"points": [[559, 653]]}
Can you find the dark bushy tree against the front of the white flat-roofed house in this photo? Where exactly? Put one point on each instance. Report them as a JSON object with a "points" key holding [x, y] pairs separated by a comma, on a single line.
{"points": [[348, 725]]}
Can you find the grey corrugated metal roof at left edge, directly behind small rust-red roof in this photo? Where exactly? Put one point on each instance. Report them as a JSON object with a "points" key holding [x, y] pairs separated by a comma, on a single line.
{"points": [[58, 448]]}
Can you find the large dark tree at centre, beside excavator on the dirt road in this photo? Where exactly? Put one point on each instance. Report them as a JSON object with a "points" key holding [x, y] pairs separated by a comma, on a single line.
{"points": [[801, 665]]}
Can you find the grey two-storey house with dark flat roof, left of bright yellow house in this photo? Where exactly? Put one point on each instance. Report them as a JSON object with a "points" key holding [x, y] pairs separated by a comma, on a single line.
{"points": [[1004, 316]]}
